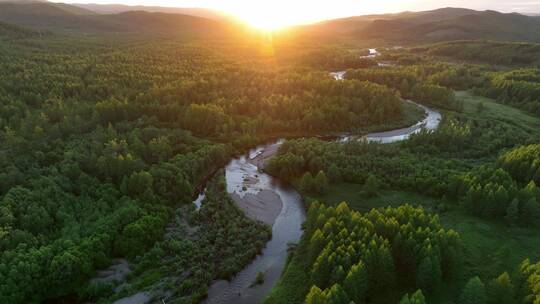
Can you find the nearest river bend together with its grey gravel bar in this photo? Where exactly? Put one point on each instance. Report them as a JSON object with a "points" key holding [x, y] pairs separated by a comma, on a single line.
{"points": [[266, 199]]}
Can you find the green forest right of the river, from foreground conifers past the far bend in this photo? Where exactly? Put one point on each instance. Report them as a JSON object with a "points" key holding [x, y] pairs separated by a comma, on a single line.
{"points": [[480, 165]]}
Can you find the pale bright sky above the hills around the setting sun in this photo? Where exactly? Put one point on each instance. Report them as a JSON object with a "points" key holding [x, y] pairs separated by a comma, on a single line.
{"points": [[272, 13]]}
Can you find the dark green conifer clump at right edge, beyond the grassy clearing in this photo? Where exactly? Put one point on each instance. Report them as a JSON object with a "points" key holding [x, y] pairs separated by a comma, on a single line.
{"points": [[504, 190]]}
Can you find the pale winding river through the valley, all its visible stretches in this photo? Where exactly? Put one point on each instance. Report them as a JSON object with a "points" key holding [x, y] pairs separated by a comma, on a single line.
{"points": [[245, 179]]}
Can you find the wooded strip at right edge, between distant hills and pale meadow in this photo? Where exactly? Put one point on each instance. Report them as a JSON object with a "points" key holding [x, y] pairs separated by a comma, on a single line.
{"points": [[507, 72]]}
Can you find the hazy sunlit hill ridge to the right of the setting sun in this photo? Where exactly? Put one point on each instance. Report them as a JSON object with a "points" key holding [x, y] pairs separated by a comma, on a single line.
{"points": [[429, 26]]}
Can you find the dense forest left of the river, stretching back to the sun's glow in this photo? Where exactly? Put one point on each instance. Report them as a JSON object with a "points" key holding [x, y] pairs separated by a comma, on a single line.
{"points": [[104, 141]]}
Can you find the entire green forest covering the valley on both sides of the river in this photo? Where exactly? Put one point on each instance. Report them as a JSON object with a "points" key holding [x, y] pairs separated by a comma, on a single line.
{"points": [[110, 133]]}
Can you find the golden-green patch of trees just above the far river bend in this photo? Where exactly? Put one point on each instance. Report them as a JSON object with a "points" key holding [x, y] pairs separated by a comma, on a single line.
{"points": [[429, 84]]}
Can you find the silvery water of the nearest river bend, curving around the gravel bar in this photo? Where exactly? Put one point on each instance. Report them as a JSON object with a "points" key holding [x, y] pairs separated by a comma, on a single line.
{"points": [[286, 229]]}
